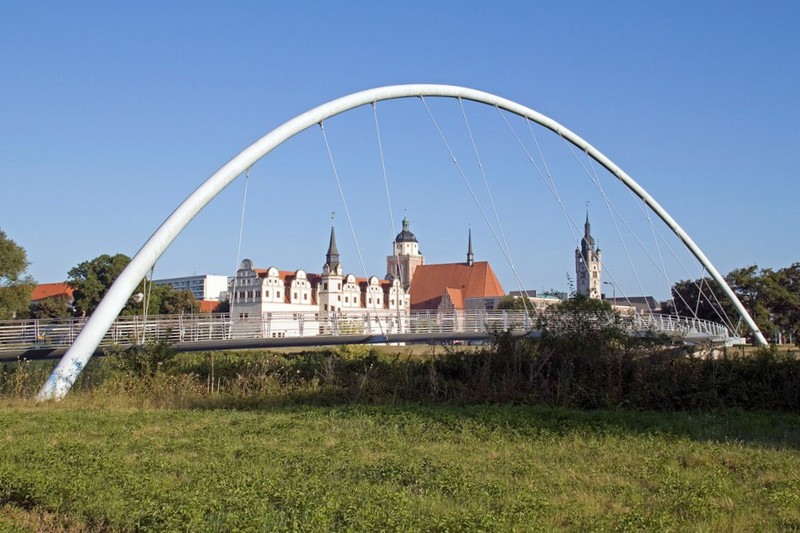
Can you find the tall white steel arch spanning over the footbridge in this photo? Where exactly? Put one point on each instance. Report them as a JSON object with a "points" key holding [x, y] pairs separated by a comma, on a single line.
{"points": [[64, 375]]}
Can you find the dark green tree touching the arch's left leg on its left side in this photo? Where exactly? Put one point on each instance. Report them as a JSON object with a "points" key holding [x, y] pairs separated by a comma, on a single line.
{"points": [[92, 279]]}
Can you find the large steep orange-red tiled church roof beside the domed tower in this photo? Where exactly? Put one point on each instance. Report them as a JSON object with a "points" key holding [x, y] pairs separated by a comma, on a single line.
{"points": [[430, 282]]}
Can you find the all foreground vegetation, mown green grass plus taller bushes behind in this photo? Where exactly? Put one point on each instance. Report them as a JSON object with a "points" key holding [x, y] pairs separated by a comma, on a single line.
{"points": [[452, 439]]}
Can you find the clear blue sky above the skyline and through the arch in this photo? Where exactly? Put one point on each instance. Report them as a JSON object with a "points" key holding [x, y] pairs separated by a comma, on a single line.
{"points": [[113, 112]]}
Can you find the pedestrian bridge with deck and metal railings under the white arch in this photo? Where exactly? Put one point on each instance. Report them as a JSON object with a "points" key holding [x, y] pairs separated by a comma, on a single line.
{"points": [[38, 339]]}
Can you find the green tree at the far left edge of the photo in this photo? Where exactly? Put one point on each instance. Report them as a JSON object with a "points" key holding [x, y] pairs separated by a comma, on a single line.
{"points": [[16, 286]]}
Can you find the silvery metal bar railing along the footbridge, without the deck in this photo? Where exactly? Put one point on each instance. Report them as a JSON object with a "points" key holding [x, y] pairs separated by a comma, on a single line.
{"points": [[49, 333]]}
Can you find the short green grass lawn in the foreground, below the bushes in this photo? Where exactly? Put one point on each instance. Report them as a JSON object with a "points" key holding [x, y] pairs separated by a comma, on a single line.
{"points": [[96, 463]]}
